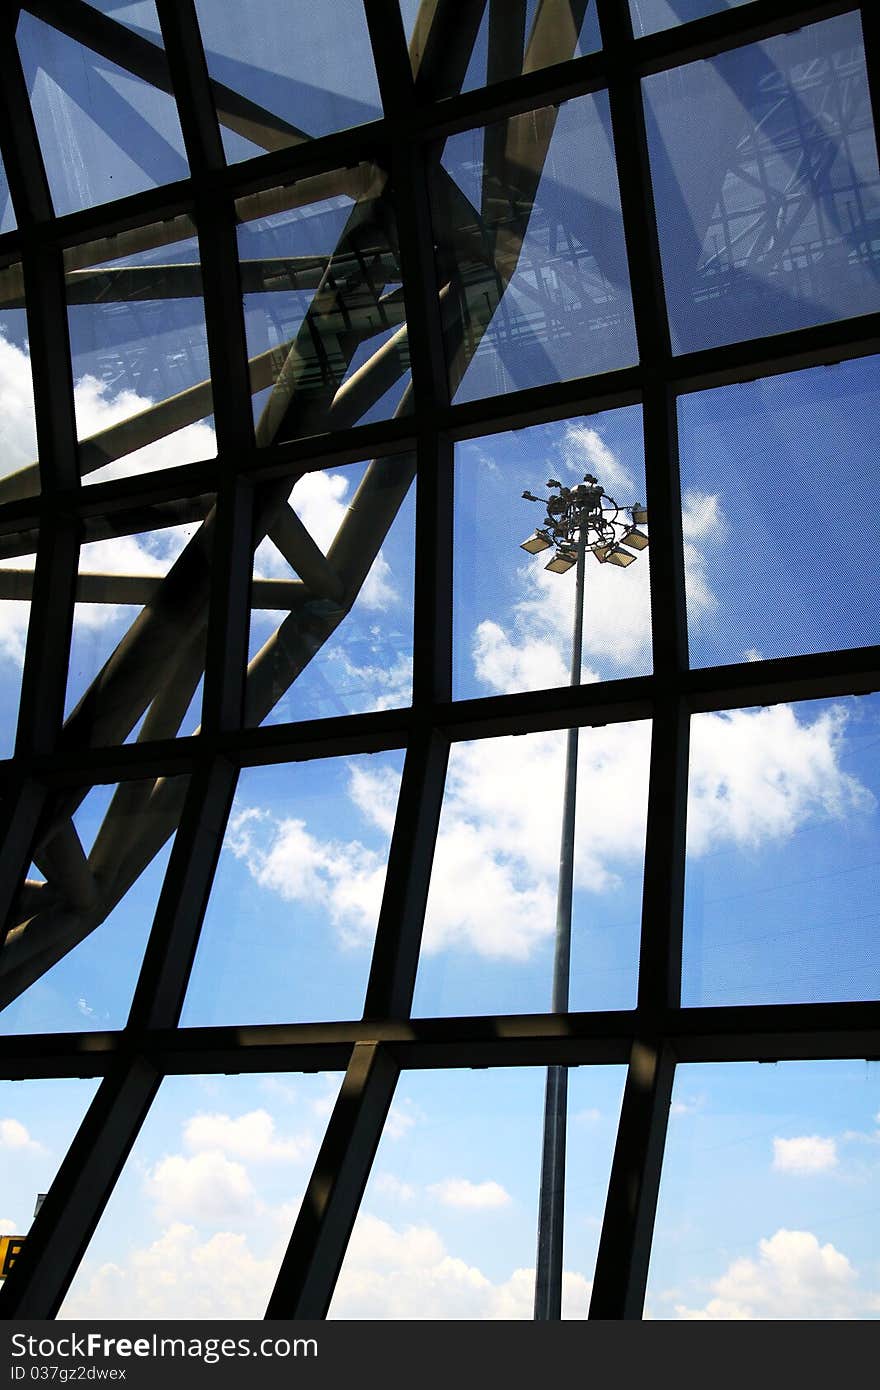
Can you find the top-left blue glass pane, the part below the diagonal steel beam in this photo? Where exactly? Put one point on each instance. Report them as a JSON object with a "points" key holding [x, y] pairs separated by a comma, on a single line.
{"points": [[104, 131]]}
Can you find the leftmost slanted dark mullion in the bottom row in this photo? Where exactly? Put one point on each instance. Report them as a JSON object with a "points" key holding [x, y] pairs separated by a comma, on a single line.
{"points": [[76, 1202]]}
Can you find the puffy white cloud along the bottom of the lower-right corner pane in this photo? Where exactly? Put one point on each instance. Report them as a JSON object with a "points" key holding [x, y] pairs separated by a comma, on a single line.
{"points": [[793, 1277]]}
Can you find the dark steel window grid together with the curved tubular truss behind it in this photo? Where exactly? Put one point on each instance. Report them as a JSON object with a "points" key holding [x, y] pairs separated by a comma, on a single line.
{"points": [[195, 622]]}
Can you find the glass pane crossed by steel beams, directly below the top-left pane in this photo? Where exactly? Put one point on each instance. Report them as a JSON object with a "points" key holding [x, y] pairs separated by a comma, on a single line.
{"points": [[140, 347]]}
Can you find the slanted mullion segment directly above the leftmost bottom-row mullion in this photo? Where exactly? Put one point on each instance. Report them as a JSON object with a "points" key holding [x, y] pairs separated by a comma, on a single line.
{"points": [[169, 958]]}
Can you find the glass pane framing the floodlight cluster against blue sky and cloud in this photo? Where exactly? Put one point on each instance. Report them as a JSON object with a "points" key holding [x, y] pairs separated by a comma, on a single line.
{"points": [[512, 619]]}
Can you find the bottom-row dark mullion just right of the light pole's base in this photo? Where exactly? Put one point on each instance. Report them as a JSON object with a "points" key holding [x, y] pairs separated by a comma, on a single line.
{"points": [[628, 1228]]}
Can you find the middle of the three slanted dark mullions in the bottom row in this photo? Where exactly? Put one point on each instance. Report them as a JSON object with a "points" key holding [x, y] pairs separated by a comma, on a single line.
{"points": [[315, 1256]]}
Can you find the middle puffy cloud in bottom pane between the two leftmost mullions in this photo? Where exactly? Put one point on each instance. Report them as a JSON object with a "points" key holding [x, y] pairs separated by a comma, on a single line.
{"points": [[208, 1188]]}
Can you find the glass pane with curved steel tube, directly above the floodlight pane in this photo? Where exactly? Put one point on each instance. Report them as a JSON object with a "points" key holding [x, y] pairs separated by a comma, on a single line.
{"points": [[532, 265]]}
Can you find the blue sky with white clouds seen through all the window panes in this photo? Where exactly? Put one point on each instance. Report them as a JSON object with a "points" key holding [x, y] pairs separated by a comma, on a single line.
{"points": [[765, 1207]]}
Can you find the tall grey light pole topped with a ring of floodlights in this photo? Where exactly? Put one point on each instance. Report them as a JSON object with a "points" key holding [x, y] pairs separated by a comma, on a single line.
{"points": [[576, 522]]}
